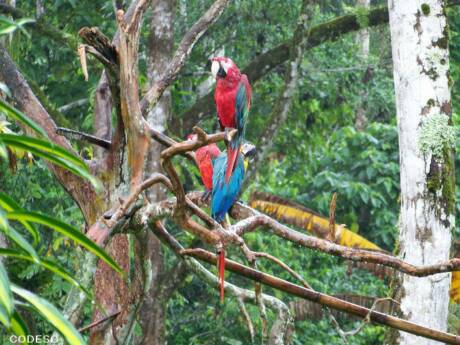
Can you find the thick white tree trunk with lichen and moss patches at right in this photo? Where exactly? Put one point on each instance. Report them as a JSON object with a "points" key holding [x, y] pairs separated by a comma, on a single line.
{"points": [[421, 75]]}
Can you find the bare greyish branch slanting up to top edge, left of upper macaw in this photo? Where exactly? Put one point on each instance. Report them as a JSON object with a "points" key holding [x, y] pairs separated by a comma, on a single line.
{"points": [[182, 53]]}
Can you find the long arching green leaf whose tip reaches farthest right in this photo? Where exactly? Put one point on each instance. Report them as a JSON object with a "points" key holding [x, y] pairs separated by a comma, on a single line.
{"points": [[66, 230]]}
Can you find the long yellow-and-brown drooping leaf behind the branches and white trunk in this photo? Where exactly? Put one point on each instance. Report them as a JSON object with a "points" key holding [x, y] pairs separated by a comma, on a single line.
{"points": [[302, 217]]}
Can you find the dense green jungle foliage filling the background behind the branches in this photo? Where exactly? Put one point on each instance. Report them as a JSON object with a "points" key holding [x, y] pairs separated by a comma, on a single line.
{"points": [[319, 149]]}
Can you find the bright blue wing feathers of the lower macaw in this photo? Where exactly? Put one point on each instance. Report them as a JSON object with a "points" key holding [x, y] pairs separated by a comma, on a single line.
{"points": [[224, 195]]}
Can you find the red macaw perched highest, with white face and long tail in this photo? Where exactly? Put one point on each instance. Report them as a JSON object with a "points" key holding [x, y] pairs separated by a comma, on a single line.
{"points": [[233, 101]]}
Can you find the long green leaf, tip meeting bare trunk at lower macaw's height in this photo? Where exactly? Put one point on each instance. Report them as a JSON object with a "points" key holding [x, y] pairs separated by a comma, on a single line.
{"points": [[51, 152]]}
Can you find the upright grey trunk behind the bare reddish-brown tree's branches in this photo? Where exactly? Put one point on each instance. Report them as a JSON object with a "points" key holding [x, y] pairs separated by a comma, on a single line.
{"points": [[161, 40]]}
